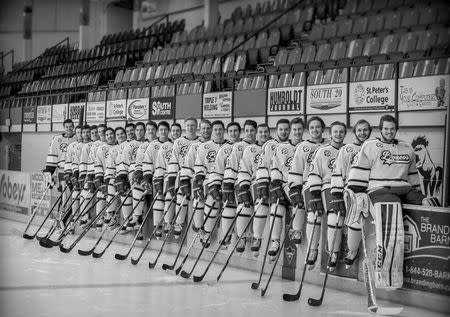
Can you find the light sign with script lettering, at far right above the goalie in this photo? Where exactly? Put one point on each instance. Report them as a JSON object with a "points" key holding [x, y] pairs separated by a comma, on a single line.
{"points": [[423, 93]]}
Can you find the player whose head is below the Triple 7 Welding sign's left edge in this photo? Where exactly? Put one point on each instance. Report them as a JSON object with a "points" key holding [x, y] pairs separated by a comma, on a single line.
{"points": [[186, 175]]}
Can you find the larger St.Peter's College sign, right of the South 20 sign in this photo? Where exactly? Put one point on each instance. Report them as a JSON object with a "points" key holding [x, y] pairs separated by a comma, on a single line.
{"points": [[372, 96]]}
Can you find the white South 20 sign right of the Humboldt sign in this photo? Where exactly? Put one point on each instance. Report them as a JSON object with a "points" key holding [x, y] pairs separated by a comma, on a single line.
{"points": [[323, 99]]}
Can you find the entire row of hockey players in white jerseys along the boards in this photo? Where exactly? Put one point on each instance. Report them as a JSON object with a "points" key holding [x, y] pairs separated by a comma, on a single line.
{"points": [[226, 177]]}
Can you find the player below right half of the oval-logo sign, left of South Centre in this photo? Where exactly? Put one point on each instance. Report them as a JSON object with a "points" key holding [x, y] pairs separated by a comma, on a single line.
{"points": [[124, 178]]}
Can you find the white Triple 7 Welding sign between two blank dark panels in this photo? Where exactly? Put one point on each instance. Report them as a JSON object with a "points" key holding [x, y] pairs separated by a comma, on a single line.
{"points": [[217, 104]]}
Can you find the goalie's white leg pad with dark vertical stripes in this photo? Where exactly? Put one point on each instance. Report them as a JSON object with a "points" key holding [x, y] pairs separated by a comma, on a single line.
{"points": [[389, 245]]}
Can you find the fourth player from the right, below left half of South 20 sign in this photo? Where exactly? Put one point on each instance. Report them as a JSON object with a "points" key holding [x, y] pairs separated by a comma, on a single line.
{"points": [[298, 175]]}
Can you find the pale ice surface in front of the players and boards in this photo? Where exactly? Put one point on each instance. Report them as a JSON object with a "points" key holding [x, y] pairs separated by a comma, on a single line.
{"points": [[35, 281]]}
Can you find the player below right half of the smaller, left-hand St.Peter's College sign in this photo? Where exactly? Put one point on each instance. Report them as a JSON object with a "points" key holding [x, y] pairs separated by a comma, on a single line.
{"points": [[112, 161]]}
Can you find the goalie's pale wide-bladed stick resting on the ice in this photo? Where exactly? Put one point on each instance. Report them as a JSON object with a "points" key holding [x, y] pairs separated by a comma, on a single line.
{"points": [[371, 298]]}
